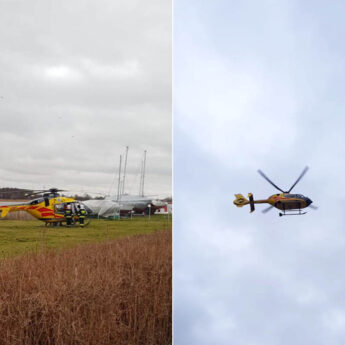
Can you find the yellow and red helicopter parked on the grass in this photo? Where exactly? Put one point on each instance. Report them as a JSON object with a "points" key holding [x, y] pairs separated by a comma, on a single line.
{"points": [[49, 207]]}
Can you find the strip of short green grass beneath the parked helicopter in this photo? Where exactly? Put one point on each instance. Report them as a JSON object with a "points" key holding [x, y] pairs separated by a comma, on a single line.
{"points": [[18, 237]]}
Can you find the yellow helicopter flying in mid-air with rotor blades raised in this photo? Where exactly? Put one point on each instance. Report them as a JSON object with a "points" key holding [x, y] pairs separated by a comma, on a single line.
{"points": [[290, 204]]}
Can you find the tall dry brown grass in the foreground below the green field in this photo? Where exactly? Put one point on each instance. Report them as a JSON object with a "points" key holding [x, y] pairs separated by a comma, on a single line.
{"points": [[117, 292]]}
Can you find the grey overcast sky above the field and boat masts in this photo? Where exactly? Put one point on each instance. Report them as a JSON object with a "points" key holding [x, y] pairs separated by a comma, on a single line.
{"points": [[80, 80]]}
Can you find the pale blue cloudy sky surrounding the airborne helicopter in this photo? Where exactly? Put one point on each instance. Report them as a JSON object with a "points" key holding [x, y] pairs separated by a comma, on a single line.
{"points": [[258, 85]]}
